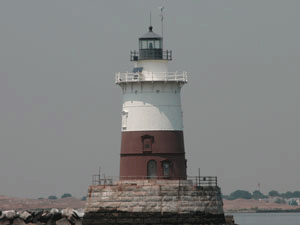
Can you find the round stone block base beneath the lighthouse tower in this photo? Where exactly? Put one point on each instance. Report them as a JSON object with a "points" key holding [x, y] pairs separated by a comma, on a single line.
{"points": [[154, 202]]}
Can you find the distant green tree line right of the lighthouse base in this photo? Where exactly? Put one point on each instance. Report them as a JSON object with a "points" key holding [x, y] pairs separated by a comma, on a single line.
{"points": [[258, 195]]}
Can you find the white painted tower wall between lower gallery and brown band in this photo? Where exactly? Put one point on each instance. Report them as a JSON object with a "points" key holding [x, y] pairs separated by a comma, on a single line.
{"points": [[152, 106]]}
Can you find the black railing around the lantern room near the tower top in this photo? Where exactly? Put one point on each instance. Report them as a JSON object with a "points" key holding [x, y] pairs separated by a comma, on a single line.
{"points": [[146, 54]]}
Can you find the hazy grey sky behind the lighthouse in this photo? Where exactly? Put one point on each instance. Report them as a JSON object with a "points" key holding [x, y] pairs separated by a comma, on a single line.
{"points": [[60, 110]]}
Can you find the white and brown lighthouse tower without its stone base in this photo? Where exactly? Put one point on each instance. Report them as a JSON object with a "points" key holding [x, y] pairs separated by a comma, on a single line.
{"points": [[152, 145]]}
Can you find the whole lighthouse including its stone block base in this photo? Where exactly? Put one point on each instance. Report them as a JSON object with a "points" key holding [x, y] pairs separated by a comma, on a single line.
{"points": [[153, 186]]}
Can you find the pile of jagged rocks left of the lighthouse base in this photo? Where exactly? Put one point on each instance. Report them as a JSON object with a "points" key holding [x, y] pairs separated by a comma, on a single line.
{"points": [[66, 216]]}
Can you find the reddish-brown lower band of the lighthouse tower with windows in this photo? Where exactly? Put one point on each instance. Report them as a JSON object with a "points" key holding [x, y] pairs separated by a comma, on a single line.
{"points": [[152, 154]]}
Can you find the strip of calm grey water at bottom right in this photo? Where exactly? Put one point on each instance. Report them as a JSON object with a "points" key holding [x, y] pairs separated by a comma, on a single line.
{"points": [[267, 218]]}
